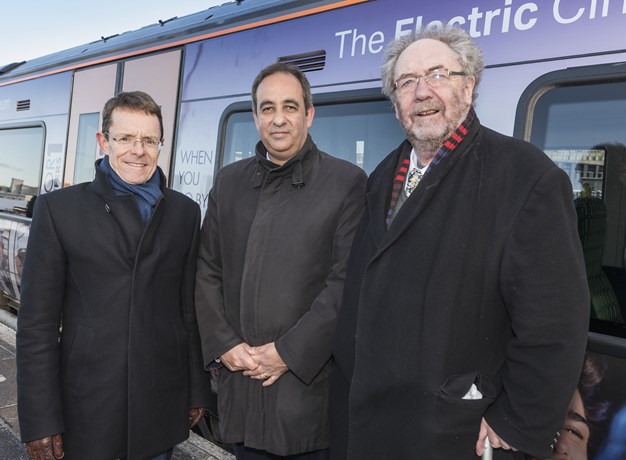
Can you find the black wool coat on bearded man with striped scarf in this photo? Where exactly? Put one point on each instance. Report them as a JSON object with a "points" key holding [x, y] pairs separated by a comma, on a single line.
{"points": [[479, 279]]}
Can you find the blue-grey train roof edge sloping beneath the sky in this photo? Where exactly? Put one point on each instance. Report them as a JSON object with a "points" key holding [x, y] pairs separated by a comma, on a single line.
{"points": [[166, 31]]}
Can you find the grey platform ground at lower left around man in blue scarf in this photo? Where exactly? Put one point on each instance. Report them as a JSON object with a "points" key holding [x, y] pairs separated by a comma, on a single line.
{"points": [[195, 448]]}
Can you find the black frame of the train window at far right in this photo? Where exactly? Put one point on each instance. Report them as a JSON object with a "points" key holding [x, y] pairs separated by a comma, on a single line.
{"points": [[604, 336]]}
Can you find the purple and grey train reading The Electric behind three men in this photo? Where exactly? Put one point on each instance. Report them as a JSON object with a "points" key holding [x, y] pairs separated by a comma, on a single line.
{"points": [[555, 75]]}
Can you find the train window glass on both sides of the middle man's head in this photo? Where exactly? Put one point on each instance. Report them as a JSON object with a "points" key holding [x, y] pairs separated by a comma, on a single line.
{"points": [[360, 132]]}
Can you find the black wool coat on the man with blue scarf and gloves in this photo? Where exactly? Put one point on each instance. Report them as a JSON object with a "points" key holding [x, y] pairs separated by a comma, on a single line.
{"points": [[119, 377]]}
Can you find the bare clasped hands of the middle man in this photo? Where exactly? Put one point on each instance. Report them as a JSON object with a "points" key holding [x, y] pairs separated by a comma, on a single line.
{"points": [[259, 363]]}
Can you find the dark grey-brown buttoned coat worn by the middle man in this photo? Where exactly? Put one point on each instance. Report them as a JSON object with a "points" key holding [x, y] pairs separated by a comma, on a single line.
{"points": [[272, 261]]}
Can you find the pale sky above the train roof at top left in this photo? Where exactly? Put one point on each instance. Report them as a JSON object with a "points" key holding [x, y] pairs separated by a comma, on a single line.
{"points": [[34, 28]]}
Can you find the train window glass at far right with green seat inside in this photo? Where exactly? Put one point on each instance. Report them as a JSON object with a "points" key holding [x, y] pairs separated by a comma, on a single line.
{"points": [[582, 129]]}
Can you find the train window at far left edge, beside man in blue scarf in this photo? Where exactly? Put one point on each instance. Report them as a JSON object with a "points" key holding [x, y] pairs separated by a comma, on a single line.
{"points": [[21, 154]]}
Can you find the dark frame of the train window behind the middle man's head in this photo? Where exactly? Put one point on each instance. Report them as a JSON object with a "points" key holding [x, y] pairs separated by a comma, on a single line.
{"points": [[319, 100]]}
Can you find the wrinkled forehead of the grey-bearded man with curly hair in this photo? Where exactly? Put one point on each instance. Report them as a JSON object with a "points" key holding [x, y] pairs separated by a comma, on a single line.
{"points": [[425, 55]]}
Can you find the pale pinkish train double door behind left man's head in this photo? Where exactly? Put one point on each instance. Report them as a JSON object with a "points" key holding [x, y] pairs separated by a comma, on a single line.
{"points": [[157, 75]]}
